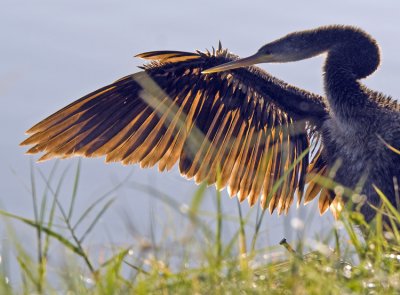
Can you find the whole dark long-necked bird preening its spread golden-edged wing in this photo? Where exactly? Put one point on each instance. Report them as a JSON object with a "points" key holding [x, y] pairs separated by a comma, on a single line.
{"points": [[242, 128]]}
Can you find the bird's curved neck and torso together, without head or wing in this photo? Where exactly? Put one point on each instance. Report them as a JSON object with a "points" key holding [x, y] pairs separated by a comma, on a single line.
{"points": [[359, 119]]}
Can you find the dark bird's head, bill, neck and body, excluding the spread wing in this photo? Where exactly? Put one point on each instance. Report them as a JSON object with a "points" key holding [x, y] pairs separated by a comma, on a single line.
{"points": [[361, 126]]}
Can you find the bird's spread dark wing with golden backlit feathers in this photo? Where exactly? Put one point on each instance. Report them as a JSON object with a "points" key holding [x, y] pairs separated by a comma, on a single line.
{"points": [[223, 128]]}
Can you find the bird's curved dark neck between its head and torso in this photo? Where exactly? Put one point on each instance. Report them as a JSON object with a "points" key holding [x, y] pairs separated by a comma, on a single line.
{"points": [[352, 55]]}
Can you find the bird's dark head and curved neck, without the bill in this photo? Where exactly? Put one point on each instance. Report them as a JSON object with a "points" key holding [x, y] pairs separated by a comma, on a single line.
{"points": [[351, 55]]}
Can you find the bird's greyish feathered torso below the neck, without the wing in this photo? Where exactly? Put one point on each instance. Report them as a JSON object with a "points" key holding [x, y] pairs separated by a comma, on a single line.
{"points": [[363, 158]]}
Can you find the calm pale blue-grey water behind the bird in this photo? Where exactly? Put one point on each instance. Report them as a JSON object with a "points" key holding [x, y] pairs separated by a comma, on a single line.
{"points": [[53, 52]]}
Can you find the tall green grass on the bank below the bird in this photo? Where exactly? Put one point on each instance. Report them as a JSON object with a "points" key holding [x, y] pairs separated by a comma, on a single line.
{"points": [[203, 262]]}
